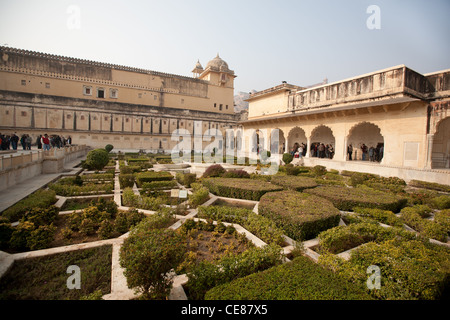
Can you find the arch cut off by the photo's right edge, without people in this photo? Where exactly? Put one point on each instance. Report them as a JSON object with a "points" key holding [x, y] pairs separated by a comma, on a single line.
{"points": [[440, 157]]}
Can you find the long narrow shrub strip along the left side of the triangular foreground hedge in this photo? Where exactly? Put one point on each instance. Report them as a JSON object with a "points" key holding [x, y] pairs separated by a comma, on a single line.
{"points": [[207, 275]]}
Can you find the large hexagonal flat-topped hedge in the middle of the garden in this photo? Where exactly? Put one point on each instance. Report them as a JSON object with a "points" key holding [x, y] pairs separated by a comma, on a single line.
{"points": [[302, 216]]}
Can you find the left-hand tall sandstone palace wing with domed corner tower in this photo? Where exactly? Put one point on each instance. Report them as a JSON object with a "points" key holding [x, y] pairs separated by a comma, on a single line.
{"points": [[97, 103]]}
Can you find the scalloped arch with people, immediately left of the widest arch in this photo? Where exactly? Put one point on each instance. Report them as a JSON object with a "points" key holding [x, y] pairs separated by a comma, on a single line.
{"points": [[322, 135]]}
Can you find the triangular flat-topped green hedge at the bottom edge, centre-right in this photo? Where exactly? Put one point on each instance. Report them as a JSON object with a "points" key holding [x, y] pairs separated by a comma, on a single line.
{"points": [[300, 279]]}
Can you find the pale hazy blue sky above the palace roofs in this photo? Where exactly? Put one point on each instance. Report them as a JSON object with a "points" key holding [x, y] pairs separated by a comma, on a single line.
{"points": [[265, 42]]}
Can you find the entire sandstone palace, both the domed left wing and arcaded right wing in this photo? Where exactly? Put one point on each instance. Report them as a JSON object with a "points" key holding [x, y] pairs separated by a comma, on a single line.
{"points": [[400, 112]]}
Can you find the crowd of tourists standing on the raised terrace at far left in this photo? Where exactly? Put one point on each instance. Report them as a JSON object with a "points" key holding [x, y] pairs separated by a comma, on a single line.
{"points": [[45, 142]]}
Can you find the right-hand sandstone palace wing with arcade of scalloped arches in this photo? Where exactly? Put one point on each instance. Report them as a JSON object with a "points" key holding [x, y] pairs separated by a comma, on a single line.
{"points": [[402, 112]]}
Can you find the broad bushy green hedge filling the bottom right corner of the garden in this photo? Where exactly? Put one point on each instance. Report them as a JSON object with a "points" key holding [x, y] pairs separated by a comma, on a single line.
{"points": [[410, 269]]}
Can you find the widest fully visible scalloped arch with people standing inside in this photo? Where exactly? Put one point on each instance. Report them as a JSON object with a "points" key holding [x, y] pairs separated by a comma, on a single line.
{"points": [[369, 135]]}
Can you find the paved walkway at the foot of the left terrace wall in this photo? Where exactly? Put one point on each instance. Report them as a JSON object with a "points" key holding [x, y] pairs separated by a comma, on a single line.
{"points": [[21, 190]]}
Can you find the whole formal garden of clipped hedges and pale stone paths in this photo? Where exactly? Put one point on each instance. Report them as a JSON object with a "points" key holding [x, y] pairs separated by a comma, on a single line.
{"points": [[303, 233]]}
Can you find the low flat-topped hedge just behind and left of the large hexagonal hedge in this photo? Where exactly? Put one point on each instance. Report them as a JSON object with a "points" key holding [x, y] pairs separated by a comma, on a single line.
{"points": [[249, 189]]}
